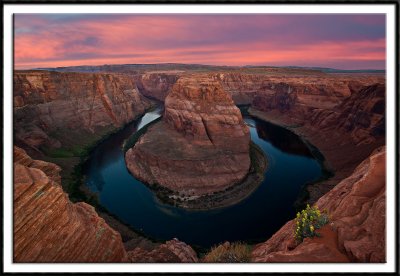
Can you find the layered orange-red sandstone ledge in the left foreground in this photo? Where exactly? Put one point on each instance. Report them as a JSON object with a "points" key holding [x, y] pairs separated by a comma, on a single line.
{"points": [[49, 228]]}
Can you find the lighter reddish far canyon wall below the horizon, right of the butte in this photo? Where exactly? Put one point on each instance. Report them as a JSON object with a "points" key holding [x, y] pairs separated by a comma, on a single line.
{"points": [[311, 88]]}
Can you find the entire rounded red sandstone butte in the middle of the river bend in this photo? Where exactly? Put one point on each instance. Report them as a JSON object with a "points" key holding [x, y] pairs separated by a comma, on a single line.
{"points": [[202, 144]]}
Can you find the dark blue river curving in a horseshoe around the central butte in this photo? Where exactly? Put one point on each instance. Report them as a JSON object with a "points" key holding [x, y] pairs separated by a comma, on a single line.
{"points": [[290, 165]]}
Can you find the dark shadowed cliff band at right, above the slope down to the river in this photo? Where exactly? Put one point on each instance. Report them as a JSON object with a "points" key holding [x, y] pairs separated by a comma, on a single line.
{"points": [[361, 115]]}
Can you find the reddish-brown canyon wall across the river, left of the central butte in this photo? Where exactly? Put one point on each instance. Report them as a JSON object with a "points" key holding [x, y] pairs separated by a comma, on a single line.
{"points": [[46, 102]]}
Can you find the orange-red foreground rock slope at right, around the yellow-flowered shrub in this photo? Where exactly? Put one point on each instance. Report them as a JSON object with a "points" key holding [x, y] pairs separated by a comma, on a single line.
{"points": [[356, 232]]}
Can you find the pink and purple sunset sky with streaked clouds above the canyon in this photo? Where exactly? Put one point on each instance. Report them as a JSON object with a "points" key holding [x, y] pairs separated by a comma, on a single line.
{"points": [[342, 41]]}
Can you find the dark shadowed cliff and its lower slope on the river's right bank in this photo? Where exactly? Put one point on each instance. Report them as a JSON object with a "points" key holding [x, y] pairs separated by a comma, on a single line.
{"points": [[345, 134]]}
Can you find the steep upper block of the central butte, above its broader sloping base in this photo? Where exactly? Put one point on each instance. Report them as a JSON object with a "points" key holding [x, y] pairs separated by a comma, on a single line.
{"points": [[200, 109]]}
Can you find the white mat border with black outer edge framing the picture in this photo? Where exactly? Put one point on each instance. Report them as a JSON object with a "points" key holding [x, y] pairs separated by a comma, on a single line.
{"points": [[388, 9]]}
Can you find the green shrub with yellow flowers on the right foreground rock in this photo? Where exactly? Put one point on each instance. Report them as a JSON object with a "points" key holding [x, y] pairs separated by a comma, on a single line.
{"points": [[308, 221]]}
